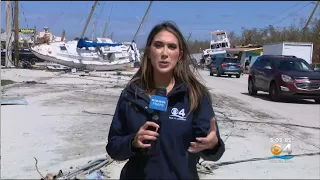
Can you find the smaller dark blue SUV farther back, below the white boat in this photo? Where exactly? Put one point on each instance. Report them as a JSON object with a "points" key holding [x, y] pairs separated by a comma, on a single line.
{"points": [[225, 66]]}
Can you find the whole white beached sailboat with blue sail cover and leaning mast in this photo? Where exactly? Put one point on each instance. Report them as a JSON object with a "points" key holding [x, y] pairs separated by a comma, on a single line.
{"points": [[101, 55]]}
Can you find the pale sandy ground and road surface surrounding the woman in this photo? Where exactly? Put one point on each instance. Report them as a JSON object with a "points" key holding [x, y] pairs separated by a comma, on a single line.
{"points": [[54, 128]]}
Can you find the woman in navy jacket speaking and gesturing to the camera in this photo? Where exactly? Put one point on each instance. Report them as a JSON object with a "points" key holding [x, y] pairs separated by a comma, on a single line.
{"points": [[187, 129]]}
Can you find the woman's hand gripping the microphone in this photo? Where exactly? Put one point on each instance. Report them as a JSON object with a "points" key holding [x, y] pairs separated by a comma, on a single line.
{"points": [[144, 134]]}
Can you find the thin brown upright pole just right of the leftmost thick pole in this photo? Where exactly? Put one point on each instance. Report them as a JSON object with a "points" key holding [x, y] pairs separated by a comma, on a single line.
{"points": [[16, 33]]}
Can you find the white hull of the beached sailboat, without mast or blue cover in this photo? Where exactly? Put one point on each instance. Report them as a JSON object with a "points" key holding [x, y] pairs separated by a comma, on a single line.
{"points": [[81, 58]]}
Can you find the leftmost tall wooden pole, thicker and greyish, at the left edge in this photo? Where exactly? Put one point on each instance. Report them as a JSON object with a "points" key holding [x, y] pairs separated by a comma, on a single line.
{"points": [[8, 59]]}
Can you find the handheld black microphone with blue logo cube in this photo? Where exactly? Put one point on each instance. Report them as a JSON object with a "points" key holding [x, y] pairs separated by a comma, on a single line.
{"points": [[158, 102]]}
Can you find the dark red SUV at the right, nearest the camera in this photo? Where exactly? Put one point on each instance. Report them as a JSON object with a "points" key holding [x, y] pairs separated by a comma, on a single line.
{"points": [[284, 76]]}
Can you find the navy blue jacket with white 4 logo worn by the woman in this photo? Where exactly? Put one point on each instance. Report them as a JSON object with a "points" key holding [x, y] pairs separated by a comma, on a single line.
{"points": [[171, 159]]}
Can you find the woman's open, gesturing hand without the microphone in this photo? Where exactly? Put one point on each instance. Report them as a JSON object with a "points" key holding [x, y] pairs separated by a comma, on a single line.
{"points": [[208, 142]]}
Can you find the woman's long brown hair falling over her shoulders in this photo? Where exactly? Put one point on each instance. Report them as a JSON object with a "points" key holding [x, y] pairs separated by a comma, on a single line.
{"points": [[144, 76]]}
